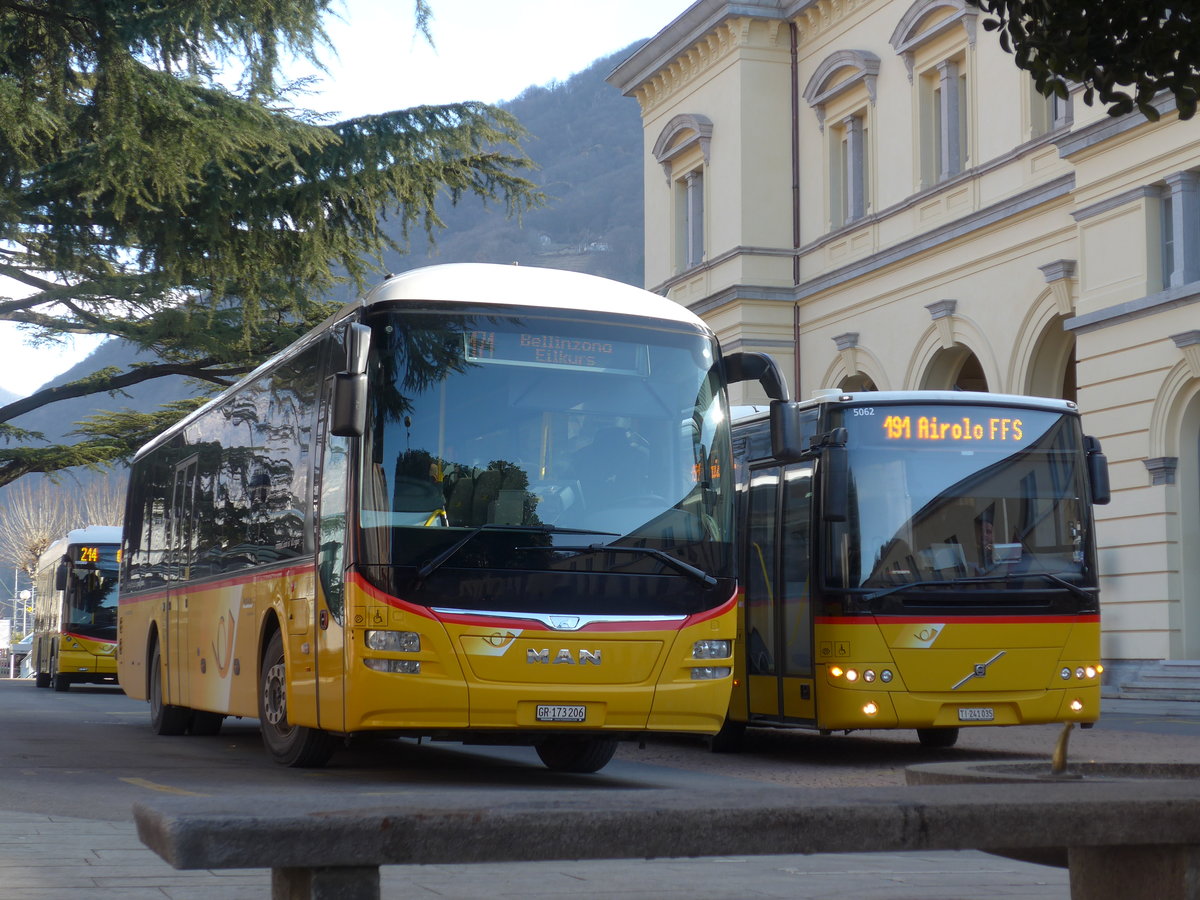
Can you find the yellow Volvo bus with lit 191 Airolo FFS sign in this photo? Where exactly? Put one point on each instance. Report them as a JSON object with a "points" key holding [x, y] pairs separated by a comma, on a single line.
{"points": [[917, 561]]}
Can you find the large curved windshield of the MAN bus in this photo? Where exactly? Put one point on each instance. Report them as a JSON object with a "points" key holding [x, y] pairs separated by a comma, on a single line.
{"points": [[537, 441]]}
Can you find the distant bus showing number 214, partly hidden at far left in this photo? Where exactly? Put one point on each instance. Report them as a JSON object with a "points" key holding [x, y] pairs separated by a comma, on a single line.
{"points": [[75, 610]]}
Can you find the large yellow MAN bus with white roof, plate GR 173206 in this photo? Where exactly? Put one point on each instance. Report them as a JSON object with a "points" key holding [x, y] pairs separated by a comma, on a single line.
{"points": [[489, 505]]}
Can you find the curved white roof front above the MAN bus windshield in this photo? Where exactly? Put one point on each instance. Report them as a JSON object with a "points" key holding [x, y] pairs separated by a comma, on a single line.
{"points": [[527, 286]]}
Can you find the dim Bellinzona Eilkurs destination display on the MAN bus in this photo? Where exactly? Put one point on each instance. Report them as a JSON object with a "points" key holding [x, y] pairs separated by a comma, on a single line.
{"points": [[526, 349]]}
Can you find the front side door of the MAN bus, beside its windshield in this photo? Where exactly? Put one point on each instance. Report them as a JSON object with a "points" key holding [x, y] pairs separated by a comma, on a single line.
{"points": [[331, 483]]}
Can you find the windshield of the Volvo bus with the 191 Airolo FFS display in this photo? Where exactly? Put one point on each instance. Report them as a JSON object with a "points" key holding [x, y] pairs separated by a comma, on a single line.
{"points": [[986, 497]]}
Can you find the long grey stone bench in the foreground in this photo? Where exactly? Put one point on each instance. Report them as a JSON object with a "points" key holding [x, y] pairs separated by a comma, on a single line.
{"points": [[1127, 841]]}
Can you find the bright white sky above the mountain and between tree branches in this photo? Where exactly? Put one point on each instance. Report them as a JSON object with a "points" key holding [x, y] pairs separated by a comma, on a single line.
{"points": [[488, 51]]}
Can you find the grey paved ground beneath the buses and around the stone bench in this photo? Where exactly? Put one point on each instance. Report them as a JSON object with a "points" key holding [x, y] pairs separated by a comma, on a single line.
{"points": [[74, 765]]}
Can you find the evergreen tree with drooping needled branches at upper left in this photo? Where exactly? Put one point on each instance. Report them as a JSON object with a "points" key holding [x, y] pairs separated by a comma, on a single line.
{"points": [[145, 199]]}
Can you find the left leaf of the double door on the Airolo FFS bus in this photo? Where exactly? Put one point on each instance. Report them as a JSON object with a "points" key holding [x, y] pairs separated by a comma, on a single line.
{"points": [[761, 597]]}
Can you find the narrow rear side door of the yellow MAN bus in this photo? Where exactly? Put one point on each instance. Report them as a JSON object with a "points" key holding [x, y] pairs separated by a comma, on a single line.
{"points": [[179, 555]]}
